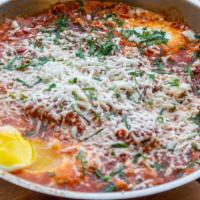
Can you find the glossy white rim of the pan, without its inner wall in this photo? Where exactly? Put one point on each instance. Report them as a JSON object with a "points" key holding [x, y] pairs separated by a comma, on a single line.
{"points": [[104, 196]]}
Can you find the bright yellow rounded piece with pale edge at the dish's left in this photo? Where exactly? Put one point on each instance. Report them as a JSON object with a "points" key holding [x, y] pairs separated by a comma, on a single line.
{"points": [[15, 152]]}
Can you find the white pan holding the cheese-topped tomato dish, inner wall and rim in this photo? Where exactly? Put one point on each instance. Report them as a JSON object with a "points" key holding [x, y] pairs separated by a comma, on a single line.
{"points": [[189, 10]]}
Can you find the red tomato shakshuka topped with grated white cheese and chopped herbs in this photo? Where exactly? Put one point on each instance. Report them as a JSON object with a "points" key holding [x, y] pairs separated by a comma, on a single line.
{"points": [[99, 97]]}
